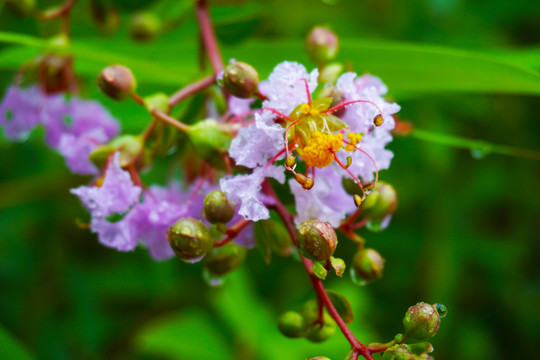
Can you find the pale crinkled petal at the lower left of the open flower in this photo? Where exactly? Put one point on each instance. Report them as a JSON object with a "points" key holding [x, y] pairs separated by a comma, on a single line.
{"points": [[245, 191]]}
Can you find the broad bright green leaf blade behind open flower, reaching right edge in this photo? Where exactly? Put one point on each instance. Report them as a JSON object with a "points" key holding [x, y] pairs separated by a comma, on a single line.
{"points": [[409, 68]]}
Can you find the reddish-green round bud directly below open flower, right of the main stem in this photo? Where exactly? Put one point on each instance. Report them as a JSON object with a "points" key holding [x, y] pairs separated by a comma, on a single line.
{"points": [[316, 240]]}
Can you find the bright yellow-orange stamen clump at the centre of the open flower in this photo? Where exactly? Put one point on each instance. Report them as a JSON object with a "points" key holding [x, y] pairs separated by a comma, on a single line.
{"points": [[319, 152]]}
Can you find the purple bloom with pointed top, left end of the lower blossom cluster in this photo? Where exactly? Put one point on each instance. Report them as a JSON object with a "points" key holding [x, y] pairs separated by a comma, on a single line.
{"points": [[109, 205]]}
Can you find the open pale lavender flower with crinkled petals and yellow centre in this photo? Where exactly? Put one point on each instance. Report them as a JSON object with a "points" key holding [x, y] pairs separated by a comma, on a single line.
{"points": [[290, 87]]}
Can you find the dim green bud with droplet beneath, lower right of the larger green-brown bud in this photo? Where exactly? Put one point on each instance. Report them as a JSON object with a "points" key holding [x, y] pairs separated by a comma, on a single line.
{"points": [[221, 260]]}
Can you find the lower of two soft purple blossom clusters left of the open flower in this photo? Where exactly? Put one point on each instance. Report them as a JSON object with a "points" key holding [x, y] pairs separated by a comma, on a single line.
{"points": [[122, 214]]}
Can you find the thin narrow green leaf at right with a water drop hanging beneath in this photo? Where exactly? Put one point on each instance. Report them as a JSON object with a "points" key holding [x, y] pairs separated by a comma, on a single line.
{"points": [[478, 148]]}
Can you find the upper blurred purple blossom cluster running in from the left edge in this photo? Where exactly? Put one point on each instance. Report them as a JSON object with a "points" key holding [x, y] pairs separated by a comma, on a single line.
{"points": [[74, 127]]}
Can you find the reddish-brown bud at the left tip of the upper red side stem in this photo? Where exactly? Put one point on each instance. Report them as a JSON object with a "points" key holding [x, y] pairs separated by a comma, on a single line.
{"points": [[117, 82]]}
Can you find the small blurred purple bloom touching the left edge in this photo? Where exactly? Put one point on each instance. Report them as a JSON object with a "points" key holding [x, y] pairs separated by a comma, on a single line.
{"points": [[20, 111]]}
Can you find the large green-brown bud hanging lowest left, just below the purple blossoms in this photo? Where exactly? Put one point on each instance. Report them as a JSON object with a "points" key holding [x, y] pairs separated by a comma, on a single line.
{"points": [[190, 239]]}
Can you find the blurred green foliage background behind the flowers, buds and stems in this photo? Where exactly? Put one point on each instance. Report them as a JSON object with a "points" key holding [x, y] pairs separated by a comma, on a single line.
{"points": [[466, 232]]}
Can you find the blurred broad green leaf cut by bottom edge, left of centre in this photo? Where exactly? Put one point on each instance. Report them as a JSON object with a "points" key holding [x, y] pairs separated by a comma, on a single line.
{"points": [[190, 335]]}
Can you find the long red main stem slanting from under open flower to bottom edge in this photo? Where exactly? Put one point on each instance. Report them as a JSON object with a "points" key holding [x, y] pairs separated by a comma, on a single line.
{"points": [[286, 216]]}
